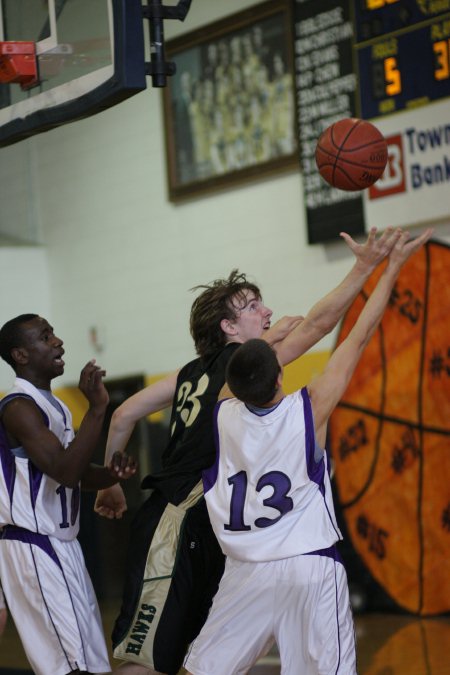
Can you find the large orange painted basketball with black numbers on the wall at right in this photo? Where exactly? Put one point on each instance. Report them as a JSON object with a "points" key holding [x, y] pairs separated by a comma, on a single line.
{"points": [[390, 438]]}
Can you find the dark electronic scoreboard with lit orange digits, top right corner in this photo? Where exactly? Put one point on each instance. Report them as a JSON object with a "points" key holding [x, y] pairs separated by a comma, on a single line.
{"points": [[402, 54]]}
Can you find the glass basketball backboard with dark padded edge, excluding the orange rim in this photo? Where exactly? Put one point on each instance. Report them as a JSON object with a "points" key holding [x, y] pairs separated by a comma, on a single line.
{"points": [[90, 55]]}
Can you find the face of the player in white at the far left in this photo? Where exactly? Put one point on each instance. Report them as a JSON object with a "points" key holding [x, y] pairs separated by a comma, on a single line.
{"points": [[44, 350]]}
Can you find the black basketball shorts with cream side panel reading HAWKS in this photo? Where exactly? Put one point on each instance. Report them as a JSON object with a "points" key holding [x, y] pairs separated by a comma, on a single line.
{"points": [[174, 568]]}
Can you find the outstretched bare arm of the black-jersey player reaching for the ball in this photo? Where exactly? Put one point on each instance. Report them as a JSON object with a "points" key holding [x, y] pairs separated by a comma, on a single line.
{"points": [[325, 314]]}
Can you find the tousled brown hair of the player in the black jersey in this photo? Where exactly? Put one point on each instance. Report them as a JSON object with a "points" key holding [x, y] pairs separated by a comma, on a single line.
{"points": [[214, 304]]}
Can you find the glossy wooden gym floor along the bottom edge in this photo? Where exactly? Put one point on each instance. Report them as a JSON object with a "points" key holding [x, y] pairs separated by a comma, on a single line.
{"points": [[387, 644]]}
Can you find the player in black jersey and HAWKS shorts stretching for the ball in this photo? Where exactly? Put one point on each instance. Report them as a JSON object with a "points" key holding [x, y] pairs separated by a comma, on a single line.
{"points": [[175, 563]]}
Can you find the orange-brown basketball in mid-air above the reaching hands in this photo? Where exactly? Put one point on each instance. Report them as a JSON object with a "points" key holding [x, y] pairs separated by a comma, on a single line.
{"points": [[351, 154]]}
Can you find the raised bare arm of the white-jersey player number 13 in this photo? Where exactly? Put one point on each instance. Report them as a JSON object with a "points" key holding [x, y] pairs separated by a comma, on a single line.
{"points": [[328, 388]]}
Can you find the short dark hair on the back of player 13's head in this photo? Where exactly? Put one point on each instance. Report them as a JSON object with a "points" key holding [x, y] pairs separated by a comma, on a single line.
{"points": [[252, 372]]}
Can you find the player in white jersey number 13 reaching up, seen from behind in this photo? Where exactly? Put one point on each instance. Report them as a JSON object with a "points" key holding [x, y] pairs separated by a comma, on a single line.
{"points": [[269, 500]]}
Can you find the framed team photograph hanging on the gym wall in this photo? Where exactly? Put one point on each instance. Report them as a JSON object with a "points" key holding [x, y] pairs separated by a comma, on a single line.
{"points": [[229, 110]]}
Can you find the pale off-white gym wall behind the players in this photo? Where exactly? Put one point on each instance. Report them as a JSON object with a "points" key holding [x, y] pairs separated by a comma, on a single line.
{"points": [[118, 256]]}
